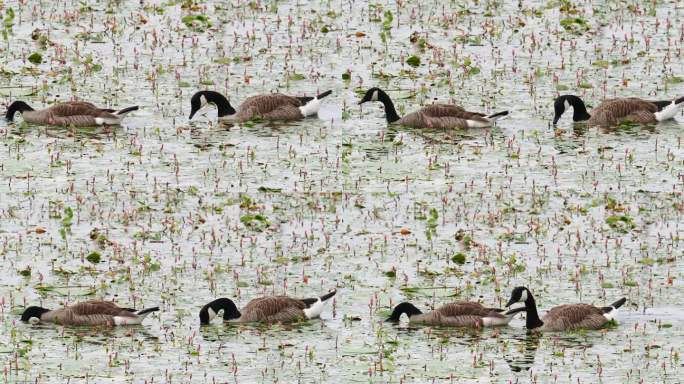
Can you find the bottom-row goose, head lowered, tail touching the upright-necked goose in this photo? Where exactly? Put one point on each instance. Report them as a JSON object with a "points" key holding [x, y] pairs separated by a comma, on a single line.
{"points": [[463, 314]]}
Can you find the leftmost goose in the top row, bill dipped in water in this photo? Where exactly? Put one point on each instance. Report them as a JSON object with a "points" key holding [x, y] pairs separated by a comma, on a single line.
{"points": [[72, 113]]}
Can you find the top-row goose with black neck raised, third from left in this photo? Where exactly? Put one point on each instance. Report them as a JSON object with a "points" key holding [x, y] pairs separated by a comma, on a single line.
{"points": [[432, 116]]}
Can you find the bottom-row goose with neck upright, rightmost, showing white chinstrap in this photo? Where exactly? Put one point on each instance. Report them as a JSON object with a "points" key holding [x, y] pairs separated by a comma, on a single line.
{"points": [[564, 317]]}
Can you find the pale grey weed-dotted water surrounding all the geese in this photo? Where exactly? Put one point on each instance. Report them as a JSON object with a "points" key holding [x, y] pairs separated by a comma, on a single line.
{"points": [[337, 191]]}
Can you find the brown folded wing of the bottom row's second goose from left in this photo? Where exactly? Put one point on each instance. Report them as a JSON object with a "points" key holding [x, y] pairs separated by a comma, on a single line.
{"points": [[273, 309]]}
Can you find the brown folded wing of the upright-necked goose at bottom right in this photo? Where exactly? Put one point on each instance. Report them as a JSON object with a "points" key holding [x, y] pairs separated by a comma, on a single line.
{"points": [[574, 316]]}
